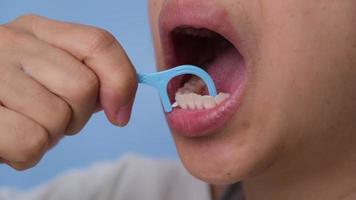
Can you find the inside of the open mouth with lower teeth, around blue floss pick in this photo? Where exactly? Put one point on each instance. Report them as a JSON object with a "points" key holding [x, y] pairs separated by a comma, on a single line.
{"points": [[204, 48]]}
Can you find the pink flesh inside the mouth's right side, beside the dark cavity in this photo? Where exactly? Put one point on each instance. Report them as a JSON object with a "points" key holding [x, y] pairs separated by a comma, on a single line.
{"points": [[227, 70]]}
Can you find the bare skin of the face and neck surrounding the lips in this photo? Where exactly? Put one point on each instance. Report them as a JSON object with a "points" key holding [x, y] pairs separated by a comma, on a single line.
{"points": [[301, 62]]}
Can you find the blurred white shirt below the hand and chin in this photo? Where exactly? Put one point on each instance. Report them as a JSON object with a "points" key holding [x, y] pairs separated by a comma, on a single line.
{"points": [[131, 178]]}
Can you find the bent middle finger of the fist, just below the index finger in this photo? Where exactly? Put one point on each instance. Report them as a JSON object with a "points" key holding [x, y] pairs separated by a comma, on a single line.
{"points": [[63, 75]]}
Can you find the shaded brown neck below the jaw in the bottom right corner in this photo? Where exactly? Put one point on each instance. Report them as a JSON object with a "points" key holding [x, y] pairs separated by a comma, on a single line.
{"points": [[327, 173]]}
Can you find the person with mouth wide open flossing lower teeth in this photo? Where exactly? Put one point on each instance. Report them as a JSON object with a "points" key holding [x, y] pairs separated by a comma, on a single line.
{"points": [[287, 130]]}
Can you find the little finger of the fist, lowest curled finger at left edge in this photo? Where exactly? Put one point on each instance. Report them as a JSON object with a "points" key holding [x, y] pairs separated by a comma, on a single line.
{"points": [[21, 139]]}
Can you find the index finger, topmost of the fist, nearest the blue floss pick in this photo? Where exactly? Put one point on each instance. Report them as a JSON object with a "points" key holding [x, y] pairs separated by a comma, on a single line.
{"points": [[99, 50]]}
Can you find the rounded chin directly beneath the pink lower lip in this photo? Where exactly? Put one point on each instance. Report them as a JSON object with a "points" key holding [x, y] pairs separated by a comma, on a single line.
{"points": [[227, 157]]}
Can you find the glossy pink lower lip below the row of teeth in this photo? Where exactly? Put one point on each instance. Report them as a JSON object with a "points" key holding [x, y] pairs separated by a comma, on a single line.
{"points": [[204, 123]]}
